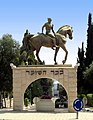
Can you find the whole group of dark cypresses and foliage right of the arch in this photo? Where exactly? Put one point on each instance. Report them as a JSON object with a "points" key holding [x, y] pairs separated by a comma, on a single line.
{"points": [[84, 72]]}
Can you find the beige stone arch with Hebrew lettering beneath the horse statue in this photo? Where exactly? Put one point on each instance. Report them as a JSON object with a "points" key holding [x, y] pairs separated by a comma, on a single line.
{"points": [[24, 76]]}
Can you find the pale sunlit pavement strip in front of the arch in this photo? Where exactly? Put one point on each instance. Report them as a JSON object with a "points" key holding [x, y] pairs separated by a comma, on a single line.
{"points": [[9, 114]]}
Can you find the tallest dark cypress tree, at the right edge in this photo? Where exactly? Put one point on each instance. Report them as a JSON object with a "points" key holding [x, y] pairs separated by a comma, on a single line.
{"points": [[89, 57]]}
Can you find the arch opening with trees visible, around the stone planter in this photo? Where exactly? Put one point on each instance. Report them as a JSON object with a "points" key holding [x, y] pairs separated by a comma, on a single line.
{"points": [[45, 88]]}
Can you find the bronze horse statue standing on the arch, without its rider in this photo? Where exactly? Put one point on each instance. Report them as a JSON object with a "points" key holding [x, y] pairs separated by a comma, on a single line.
{"points": [[34, 43]]}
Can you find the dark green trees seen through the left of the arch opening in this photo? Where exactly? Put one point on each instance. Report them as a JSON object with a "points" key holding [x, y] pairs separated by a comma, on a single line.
{"points": [[38, 88]]}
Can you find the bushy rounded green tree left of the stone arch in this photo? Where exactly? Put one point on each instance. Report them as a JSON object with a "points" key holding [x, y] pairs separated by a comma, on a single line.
{"points": [[9, 53]]}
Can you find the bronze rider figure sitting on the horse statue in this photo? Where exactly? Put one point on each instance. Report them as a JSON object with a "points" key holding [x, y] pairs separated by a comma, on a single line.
{"points": [[49, 27]]}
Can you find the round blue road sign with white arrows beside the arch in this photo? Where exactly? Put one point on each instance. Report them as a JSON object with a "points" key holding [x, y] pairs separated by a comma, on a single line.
{"points": [[78, 104]]}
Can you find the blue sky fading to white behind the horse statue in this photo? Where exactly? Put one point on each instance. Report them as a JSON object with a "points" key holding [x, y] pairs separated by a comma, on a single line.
{"points": [[18, 15]]}
